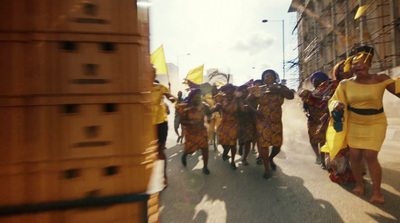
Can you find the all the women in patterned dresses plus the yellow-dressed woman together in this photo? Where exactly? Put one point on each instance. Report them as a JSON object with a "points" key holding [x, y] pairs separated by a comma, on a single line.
{"points": [[346, 121]]}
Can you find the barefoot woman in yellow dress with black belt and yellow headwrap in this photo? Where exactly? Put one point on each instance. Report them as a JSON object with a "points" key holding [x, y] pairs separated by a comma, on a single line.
{"points": [[364, 124]]}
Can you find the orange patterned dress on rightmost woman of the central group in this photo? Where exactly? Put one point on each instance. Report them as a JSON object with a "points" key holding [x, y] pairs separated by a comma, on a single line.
{"points": [[269, 125]]}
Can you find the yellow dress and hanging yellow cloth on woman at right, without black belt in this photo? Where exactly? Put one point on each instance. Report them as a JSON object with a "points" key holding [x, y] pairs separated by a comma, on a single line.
{"points": [[359, 131]]}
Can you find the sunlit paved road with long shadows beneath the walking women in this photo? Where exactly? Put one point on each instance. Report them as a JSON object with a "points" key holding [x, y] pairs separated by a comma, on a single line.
{"points": [[299, 191]]}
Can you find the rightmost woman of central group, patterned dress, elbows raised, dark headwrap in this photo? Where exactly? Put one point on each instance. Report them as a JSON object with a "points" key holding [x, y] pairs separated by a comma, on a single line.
{"points": [[269, 98]]}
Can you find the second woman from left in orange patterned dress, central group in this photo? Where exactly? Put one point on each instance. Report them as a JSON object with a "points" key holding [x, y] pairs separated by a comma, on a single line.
{"points": [[228, 104]]}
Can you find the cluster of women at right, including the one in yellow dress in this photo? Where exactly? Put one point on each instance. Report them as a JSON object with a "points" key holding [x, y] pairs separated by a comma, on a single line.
{"points": [[347, 122]]}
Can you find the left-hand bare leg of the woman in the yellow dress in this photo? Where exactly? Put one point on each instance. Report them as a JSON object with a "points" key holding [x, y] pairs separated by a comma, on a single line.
{"points": [[356, 166]]}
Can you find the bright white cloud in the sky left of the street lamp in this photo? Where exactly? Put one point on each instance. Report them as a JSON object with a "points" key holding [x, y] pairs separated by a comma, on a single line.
{"points": [[254, 43]]}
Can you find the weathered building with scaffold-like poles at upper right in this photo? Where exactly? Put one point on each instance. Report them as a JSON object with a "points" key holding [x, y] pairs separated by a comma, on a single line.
{"points": [[327, 31]]}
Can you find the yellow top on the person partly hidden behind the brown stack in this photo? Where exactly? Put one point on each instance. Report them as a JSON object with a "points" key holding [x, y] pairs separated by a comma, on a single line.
{"points": [[159, 111]]}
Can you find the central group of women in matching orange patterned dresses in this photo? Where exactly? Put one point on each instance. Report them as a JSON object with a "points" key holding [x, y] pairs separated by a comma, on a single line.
{"points": [[247, 113]]}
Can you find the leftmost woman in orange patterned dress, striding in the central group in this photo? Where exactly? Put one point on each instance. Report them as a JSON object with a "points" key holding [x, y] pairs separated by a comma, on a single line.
{"points": [[192, 118]]}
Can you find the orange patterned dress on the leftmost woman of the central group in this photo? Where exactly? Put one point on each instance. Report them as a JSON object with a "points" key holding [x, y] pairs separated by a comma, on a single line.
{"points": [[195, 135]]}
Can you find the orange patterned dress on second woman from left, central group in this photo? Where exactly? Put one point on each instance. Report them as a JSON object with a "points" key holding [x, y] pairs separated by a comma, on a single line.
{"points": [[229, 126]]}
